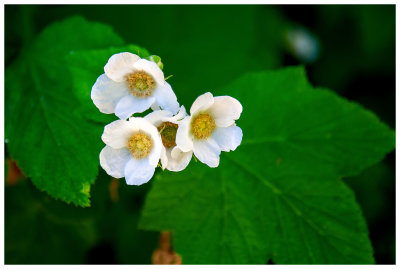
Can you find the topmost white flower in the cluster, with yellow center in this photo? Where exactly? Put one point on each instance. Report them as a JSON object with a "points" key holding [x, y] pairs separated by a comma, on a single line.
{"points": [[132, 85]]}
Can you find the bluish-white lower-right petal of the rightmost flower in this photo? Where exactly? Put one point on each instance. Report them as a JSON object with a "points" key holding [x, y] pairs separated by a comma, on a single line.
{"points": [[228, 138]]}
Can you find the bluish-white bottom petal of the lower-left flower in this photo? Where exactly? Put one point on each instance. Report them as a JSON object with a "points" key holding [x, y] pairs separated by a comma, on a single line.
{"points": [[138, 172]]}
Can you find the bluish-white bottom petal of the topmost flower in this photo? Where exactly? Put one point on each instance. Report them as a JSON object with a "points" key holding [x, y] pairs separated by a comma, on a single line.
{"points": [[131, 104]]}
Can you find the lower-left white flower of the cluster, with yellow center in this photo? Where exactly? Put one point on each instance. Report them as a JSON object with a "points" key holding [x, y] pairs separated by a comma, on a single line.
{"points": [[133, 149]]}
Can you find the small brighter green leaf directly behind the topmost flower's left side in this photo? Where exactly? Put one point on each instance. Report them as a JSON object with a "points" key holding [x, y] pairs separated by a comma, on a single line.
{"points": [[85, 66]]}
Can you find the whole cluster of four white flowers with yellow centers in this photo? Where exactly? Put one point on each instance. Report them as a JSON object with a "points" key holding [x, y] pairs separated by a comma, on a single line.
{"points": [[136, 145]]}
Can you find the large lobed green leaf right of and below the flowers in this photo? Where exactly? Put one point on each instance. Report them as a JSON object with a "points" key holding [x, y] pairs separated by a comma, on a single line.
{"points": [[278, 196]]}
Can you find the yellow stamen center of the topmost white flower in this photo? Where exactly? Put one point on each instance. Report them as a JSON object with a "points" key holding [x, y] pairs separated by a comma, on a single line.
{"points": [[140, 84]]}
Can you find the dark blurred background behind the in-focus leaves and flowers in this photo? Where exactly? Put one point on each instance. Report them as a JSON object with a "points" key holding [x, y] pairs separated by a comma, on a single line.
{"points": [[206, 47]]}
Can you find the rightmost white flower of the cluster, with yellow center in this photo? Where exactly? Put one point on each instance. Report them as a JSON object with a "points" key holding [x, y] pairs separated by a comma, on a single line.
{"points": [[210, 128]]}
